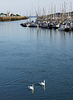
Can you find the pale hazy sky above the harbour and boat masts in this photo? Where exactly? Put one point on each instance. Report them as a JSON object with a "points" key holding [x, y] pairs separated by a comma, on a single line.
{"points": [[27, 7]]}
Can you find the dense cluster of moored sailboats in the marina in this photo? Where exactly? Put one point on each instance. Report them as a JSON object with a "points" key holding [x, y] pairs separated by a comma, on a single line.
{"points": [[64, 24]]}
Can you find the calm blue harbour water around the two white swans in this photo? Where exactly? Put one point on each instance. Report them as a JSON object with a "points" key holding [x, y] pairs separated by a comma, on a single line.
{"points": [[30, 55]]}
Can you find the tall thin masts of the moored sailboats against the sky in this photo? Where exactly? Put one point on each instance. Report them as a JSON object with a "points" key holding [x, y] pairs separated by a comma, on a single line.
{"points": [[51, 10]]}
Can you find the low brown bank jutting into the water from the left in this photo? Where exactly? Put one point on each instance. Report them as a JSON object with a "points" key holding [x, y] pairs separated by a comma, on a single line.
{"points": [[14, 18]]}
